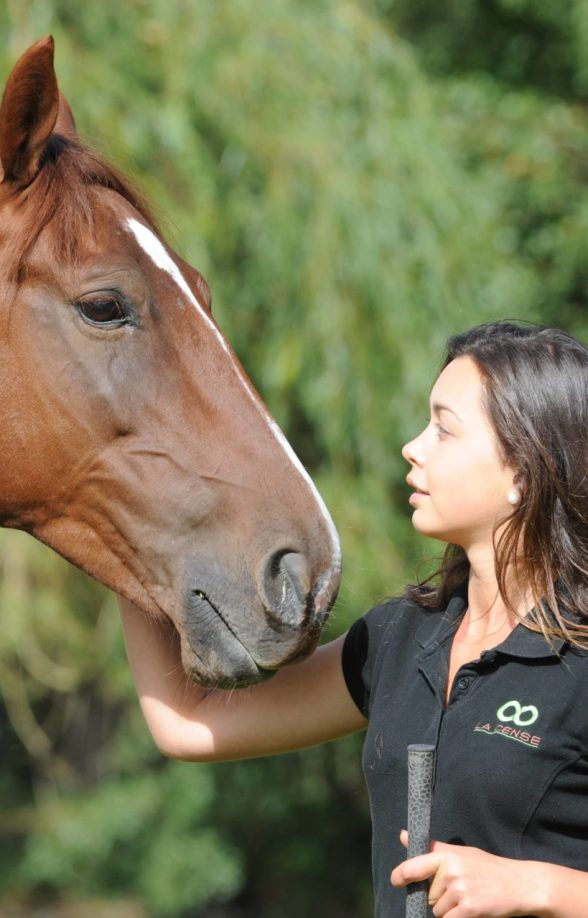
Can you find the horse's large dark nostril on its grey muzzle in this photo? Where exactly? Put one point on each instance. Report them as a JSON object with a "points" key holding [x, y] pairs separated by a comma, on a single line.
{"points": [[285, 583]]}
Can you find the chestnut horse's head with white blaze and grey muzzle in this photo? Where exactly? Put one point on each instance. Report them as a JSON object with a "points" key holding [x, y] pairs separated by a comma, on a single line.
{"points": [[132, 441]]}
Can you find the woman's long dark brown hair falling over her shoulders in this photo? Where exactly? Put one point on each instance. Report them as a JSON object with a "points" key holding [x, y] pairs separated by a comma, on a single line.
{"points": [[535, 383]]}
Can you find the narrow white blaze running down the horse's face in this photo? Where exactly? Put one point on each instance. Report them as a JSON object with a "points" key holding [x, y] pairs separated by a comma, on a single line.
{"points": [[155, 249]]}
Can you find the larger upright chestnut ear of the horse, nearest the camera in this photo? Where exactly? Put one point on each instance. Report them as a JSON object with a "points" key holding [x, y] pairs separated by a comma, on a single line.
{"points": [[28, 113]]}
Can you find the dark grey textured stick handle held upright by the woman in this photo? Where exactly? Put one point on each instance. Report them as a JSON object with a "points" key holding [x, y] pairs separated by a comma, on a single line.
{"points": [[421, 761]]}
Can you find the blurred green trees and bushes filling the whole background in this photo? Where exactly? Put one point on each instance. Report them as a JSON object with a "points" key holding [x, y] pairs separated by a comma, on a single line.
{"points": [[356, 180]]}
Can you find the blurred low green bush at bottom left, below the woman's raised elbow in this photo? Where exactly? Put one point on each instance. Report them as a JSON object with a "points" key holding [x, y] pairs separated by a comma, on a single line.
{"points": [[138, 832]]}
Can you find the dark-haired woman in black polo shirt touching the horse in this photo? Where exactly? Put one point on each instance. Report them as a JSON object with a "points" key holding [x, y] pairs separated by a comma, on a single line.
{"points": [[490, 663]]}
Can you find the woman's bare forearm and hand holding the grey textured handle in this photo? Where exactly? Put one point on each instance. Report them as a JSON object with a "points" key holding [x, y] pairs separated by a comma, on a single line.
{"points": [[470, 883]]}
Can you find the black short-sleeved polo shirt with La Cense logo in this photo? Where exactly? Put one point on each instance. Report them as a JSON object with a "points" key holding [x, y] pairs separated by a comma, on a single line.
{"points": [[512, 744]]}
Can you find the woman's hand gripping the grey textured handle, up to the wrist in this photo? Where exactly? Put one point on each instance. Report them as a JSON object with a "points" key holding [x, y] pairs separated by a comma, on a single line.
{"points": [[470, 883]]}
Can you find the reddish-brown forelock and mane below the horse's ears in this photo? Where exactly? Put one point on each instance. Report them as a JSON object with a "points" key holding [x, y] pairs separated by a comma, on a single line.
{"points": [[62, 194]]}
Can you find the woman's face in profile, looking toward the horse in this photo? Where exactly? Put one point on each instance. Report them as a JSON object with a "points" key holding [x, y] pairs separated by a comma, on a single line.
{"points": [[461, 485]]}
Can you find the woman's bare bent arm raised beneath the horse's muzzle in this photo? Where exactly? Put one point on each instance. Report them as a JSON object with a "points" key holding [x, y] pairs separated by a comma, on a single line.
{"points": [[302, 705]]}
